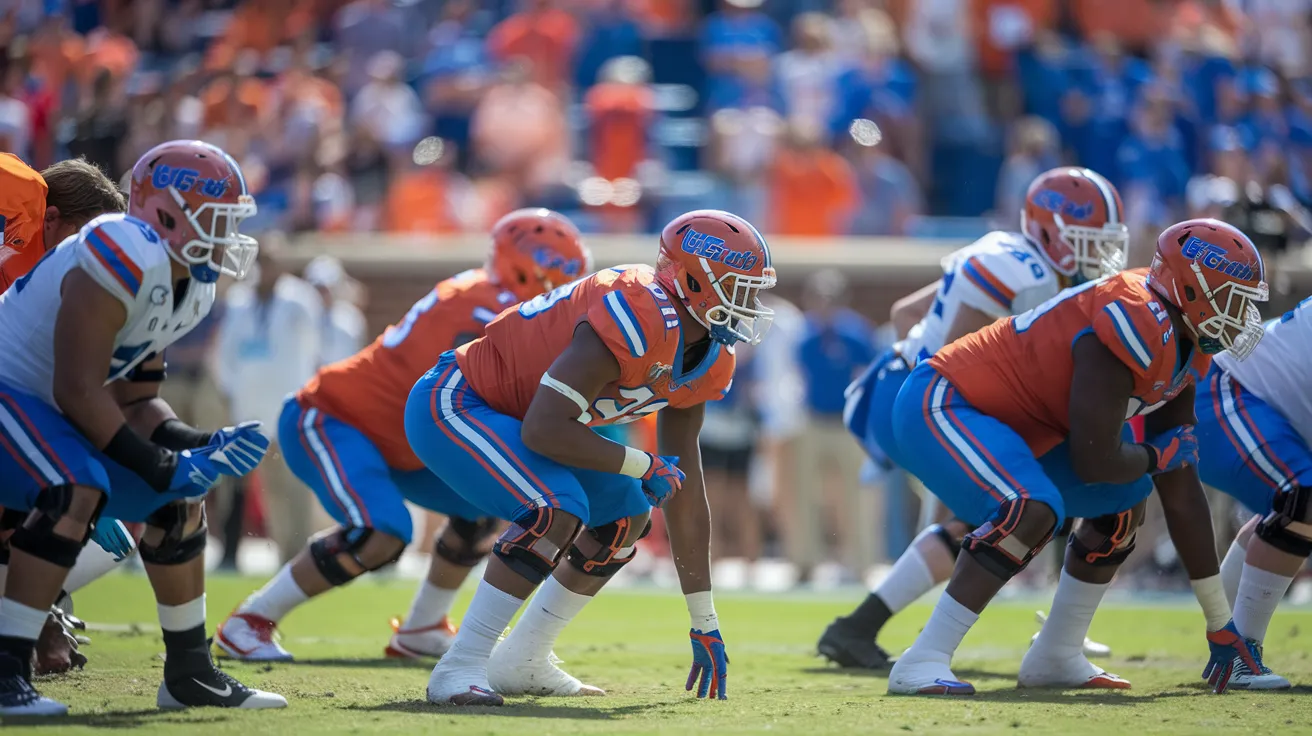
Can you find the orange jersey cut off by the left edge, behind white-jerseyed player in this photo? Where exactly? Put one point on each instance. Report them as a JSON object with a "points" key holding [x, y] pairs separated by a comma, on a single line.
{"points": [[23, 215]]}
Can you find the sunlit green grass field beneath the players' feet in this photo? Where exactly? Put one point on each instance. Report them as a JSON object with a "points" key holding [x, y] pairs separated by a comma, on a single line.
{"points": [[636, 646]]}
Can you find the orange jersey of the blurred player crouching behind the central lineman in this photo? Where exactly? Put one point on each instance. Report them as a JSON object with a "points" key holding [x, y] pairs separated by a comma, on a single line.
{"points": [[369, 389]]}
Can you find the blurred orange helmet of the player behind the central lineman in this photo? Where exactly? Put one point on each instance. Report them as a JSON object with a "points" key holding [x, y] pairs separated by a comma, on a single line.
{"points": [[535, 251]]}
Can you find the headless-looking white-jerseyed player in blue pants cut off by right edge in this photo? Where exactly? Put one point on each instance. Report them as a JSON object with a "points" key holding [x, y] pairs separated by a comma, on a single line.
{"points": [[1255, 423]]}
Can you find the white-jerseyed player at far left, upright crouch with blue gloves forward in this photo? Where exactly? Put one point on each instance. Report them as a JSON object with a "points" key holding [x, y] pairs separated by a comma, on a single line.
{"points": [[106, 304]]}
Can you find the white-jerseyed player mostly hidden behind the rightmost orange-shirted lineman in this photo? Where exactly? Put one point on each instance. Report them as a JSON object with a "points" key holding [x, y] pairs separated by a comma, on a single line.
{"points": [[1073, 233]]}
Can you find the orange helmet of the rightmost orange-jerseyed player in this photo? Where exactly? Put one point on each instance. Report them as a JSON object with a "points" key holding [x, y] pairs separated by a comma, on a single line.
{"points": [[1214, 275]]}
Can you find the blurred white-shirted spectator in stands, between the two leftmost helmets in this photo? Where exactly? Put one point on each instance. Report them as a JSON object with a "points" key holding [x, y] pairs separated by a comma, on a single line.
{"points": [[388, 107]]}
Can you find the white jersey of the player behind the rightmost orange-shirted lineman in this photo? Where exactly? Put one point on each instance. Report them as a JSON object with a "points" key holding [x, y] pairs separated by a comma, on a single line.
{"points": [[999, 275]]}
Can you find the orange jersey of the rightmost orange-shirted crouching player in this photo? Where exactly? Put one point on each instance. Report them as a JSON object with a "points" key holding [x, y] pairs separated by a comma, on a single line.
{"points": [[1020, 371]]}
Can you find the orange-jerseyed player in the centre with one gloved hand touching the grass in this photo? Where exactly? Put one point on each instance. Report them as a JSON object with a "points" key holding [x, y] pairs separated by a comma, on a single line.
{"points": [[506, 420]]}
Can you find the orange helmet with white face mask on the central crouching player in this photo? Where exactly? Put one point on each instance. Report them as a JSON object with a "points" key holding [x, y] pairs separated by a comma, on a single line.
{"points": [[718, 264]]}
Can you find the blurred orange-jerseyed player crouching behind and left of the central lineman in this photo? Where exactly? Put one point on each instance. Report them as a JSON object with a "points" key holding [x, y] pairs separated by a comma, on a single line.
{"points": [[344, 436]]}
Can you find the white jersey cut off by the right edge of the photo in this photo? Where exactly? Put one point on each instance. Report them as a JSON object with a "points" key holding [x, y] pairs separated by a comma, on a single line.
{"points": [[1277, 372]]}
